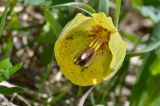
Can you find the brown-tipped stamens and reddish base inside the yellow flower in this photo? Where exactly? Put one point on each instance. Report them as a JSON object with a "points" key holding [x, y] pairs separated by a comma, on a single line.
{"points": [[86, 56]]}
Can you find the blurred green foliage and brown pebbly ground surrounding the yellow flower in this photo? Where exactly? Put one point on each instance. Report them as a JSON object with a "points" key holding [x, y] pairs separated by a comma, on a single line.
{"points": [[29, 29]]}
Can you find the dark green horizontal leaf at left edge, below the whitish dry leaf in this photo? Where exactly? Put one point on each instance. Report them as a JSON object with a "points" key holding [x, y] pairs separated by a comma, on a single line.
{"points": [[10, 90]]}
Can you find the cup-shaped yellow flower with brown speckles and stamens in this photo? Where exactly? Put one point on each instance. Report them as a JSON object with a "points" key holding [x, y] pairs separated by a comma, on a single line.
{"points": [[90, 50]]}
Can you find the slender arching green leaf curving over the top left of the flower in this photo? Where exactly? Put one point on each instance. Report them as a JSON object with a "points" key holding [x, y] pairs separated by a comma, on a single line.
{"points": [[84, 7]]}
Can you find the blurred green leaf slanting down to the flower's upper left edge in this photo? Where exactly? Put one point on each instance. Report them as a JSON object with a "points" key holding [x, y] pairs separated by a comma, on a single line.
{"points": [[55, 26]]}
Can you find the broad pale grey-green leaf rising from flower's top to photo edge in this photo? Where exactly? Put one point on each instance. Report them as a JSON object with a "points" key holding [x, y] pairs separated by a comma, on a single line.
{"points": [[103, 6]]}
